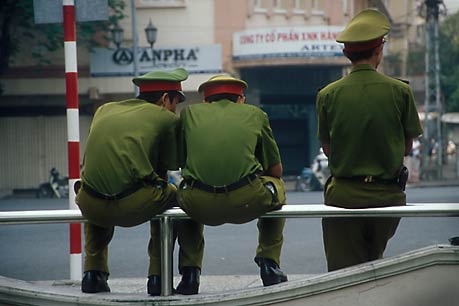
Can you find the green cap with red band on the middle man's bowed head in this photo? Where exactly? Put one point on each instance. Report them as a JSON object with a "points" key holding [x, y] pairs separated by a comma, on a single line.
{"points": [[222, 84]]}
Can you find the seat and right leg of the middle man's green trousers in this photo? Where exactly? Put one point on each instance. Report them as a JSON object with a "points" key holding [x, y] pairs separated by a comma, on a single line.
{"points": [[241, 206]]}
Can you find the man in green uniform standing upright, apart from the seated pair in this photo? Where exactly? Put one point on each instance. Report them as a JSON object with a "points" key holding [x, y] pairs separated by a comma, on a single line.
{"points": [[366, 124]]}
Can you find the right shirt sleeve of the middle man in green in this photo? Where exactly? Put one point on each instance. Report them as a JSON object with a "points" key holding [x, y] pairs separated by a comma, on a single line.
{"points": [[267, 151]]}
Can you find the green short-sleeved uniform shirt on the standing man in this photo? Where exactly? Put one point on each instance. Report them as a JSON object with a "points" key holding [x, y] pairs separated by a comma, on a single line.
{"points": [[365, 117]]}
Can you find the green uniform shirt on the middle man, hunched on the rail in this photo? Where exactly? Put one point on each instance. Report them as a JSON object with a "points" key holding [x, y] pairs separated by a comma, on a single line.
{"points": [[224, 141]]}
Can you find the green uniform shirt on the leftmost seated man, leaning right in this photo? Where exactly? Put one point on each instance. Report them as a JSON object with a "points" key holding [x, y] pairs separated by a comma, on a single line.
{"points": [[128, 141]]}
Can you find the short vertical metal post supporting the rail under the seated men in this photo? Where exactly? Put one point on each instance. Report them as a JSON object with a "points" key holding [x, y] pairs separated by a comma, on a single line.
{"points": [[166, 255]]}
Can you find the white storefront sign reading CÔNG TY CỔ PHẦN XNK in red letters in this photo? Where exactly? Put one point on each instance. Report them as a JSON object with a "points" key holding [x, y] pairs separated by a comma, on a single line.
{"points": [[316, 41]]}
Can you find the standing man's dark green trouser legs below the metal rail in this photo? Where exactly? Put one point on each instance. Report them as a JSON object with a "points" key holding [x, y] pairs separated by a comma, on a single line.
{"points": [[351, 241]]}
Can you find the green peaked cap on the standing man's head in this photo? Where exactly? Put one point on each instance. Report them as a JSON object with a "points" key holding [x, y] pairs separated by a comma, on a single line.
{"points": [[365, 31]]}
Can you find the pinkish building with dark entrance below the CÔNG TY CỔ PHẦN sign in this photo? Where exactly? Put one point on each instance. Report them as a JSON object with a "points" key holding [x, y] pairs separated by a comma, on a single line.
{"points": [[286, 51]]}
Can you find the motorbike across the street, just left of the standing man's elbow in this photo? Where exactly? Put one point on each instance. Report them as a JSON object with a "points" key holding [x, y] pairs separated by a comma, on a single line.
{"points": [[314, 178]]}
